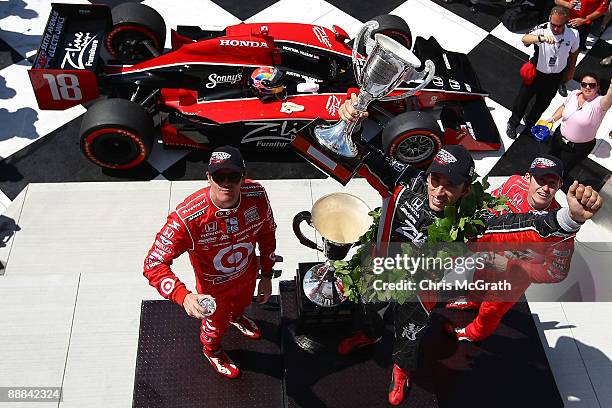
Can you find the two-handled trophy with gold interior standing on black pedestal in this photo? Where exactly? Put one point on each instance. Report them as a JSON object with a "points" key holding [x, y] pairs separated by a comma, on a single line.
{"points": [[340, 219]]}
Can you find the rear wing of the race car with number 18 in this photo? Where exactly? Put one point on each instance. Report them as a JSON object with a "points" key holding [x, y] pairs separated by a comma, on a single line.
{"points": [[64, 71]]}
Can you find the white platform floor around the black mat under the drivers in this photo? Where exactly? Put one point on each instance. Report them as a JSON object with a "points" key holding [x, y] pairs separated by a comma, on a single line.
{"points": [[71, 293]]}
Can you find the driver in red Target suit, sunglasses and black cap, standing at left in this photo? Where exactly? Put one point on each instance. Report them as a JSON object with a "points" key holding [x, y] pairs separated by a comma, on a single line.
{"points": [[219, 227]]}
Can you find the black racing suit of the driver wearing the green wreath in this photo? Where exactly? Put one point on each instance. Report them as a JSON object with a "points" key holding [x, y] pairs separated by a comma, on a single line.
{"points": [[405, 217]]}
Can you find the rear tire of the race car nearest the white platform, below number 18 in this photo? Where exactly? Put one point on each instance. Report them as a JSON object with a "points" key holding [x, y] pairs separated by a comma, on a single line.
{"points": [[116, 134]]}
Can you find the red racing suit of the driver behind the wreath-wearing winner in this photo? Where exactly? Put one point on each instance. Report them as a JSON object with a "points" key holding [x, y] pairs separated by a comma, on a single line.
{"points": [[542, 263]]}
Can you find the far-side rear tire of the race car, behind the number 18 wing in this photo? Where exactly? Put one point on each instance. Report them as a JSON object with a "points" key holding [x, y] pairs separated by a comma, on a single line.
{"points": [[134, 23]]}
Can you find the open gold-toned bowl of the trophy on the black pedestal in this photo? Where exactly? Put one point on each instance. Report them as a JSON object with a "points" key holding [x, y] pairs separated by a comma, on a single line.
{"points": [[341, 217]]}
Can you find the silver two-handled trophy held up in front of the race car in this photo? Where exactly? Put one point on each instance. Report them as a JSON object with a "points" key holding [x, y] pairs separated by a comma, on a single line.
{"points": [[388, 65]]}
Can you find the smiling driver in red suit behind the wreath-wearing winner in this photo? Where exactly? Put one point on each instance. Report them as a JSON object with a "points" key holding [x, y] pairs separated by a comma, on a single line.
{"points": [[547, 261]]}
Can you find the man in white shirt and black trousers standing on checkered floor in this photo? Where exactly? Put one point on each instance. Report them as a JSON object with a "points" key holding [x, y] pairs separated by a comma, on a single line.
{"points": [[556, 50]]}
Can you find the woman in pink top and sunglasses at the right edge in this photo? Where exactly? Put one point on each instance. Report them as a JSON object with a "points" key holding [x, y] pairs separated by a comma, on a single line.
{"points": [[580, 114]]}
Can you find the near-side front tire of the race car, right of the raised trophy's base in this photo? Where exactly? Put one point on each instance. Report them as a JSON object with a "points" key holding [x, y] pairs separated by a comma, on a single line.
{"points": [[412, 138]]}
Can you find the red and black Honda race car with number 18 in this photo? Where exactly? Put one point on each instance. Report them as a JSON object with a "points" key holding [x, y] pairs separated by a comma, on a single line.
{"points": [[250, 85]]}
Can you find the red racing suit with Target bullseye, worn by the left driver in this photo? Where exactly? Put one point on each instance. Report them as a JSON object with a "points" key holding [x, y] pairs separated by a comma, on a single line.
{"points": [[221, 247]]}
